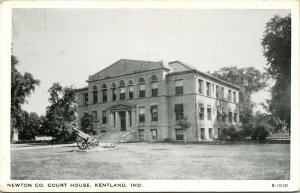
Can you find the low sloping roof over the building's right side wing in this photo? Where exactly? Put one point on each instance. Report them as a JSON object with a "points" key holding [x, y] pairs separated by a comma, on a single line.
{"points": [[179, 67]]}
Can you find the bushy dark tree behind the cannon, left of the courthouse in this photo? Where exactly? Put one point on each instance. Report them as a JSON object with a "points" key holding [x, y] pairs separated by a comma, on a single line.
{"points": [[61, 112]]}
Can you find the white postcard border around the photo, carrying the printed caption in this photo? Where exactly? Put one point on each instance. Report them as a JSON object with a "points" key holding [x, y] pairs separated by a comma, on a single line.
{"points": [[149, 185]]}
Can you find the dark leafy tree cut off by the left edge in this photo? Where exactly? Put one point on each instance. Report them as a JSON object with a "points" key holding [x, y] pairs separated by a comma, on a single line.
{"points": [[21, 87]]}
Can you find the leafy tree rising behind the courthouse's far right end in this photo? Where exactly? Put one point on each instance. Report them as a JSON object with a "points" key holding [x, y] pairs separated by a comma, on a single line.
{"points": [[249, 80]]}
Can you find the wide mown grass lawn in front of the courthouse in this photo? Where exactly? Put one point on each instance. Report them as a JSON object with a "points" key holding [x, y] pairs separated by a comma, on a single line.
{"points": [[150, 161]]}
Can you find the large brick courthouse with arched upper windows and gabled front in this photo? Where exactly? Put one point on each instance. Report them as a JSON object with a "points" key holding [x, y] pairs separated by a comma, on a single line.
{"points": [[142, 100]]}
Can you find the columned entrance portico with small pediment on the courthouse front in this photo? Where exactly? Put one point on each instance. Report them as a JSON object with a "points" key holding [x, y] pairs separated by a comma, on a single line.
{"points": [[122, 116]]}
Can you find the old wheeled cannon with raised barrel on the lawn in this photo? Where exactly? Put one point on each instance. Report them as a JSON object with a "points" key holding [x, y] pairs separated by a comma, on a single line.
{"points": [[85, 141]]}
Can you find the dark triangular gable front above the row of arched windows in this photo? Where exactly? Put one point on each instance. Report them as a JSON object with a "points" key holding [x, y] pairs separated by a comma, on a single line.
{"points": [[126, 67]]}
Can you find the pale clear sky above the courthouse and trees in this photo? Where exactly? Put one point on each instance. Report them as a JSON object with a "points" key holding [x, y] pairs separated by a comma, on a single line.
{"points": [[68, 45]]}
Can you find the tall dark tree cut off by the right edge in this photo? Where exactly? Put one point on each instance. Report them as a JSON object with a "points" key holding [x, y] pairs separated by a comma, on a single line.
{"points": [[276, 44]]}
